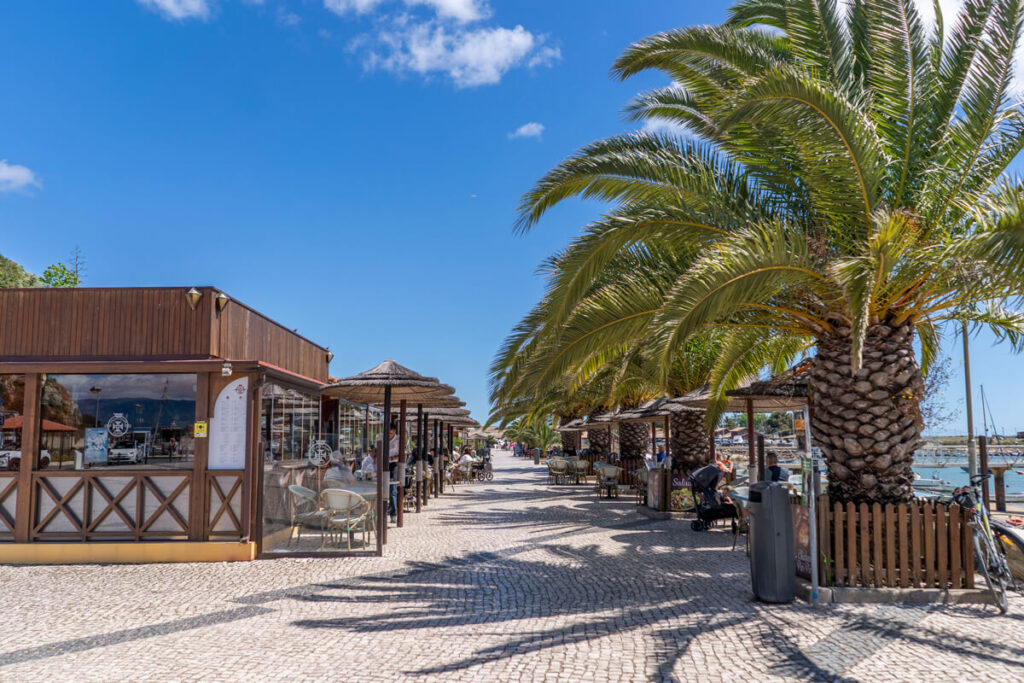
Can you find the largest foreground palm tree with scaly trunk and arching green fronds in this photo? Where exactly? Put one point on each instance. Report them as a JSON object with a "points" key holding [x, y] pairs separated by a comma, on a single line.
{"points": [[842, 184]]}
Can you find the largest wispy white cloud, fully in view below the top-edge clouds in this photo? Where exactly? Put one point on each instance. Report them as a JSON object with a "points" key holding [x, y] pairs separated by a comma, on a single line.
{"points": [[470, 57]]}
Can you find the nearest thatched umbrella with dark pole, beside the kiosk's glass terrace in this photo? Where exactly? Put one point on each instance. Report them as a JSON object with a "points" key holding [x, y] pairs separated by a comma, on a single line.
{"points": [[382, 385]]}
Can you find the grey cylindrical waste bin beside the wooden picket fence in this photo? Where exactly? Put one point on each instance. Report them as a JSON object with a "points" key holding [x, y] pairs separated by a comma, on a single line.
{"points": [[774, 568]]}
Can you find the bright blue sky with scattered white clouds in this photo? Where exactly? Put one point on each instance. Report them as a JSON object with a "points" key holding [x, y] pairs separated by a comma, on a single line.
{"points": [[325, 161]]}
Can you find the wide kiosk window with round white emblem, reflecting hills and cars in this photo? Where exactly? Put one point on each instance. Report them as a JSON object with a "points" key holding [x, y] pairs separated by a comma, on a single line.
{"points": [[118, 421]]}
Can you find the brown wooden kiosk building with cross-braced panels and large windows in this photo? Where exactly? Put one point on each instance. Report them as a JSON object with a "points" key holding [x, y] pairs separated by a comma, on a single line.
{"points": [[142, 421]]}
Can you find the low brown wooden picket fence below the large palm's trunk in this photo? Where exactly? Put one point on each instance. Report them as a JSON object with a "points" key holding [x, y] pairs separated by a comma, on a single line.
{"points": [[912, 545]]}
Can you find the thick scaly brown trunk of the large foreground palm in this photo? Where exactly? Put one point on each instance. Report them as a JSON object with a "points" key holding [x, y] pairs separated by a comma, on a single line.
{"points": [[868, 422]]}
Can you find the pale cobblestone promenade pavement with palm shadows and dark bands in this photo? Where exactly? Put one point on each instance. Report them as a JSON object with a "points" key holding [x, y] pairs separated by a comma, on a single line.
{"points": [[510, 581]]}
